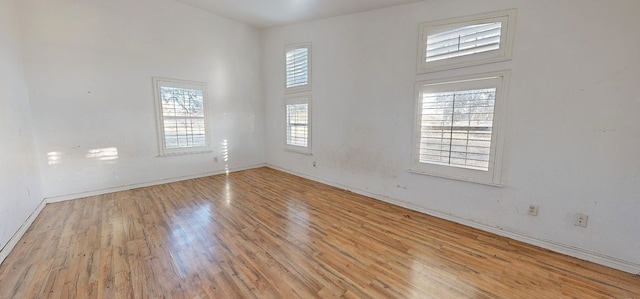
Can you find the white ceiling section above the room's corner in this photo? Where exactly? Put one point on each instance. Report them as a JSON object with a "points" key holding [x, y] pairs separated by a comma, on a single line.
{"points": [[269, 13]]}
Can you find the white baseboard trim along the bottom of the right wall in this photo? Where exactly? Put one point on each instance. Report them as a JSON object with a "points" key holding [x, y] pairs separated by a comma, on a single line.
{"points": [[611, 262]]}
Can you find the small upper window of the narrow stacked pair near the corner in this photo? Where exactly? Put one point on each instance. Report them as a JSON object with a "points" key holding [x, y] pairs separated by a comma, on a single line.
{"points": [[298, 67]]}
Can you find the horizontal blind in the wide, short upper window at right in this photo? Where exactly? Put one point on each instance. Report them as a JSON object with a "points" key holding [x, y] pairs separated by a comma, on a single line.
{"points": [[465, 40]]}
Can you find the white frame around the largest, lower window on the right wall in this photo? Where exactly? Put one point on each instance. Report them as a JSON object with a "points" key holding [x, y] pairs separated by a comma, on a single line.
{"points": [[493, 176]]}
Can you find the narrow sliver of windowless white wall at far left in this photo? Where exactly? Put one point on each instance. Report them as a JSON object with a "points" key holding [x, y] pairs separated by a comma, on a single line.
{"points": [[20, 187]]}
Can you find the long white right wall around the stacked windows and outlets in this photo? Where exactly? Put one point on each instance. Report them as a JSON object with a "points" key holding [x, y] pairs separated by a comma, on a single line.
{"points": [[572, 131]]}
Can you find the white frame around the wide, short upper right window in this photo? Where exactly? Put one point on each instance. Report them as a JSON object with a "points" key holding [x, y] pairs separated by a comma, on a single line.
{"points": [[504, 52]]}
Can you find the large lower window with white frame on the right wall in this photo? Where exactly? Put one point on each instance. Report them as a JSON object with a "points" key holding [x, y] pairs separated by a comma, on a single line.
{"points": [[457, 132]]}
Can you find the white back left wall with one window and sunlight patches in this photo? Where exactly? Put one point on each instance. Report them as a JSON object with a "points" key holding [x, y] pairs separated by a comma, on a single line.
{"points": [[89, 69]]}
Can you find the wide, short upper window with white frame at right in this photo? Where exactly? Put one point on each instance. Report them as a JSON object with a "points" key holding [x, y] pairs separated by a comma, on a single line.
{"points": [[466, 41]]}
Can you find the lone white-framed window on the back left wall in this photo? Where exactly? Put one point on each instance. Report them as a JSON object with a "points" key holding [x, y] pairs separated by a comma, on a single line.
{"points": [[181, 116]]}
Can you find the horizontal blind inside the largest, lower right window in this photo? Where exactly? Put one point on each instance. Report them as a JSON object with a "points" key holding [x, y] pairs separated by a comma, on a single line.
{"points": [[456, 128]]}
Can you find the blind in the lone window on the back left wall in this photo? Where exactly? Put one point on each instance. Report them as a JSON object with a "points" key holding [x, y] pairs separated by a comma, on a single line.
{"points": [[183, 117]]}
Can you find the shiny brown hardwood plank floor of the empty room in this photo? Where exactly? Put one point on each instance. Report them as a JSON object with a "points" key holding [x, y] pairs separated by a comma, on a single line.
{"points": [[262, 233]]}
